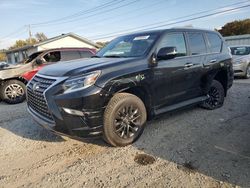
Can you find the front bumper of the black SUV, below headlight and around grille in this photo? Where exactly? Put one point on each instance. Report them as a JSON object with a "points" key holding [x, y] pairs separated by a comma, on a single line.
{"points": [[90, 102]]}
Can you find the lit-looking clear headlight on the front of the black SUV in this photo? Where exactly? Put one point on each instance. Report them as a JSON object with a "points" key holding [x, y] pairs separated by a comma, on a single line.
{"points": [[81, 82]]}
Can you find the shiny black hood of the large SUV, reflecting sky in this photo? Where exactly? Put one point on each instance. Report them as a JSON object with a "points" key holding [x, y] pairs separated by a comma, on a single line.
{"points": [[81, 66]]}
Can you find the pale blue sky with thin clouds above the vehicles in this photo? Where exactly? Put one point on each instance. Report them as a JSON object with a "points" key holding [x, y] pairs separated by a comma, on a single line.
{"points": [[84, 18]]}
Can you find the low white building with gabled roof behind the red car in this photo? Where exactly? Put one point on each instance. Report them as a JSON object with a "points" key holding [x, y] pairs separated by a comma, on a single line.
{"points": [[69, 40]]}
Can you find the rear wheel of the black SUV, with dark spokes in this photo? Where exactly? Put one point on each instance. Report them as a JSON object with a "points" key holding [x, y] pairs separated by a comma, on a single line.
{"points": [[216, 96]]}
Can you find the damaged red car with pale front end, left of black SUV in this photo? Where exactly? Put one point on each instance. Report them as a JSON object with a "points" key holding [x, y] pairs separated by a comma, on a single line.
{"points": [[13, 78]]}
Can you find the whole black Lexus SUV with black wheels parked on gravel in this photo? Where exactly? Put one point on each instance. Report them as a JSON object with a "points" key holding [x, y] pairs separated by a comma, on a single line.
{"points": [[132, 79]]}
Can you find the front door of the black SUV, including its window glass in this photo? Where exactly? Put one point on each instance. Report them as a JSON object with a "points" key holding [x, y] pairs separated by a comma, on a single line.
{"points": [[174, 79]]}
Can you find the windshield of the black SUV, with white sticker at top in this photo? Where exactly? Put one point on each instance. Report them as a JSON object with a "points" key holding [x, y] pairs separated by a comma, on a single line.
{"points": [[129, 46]]}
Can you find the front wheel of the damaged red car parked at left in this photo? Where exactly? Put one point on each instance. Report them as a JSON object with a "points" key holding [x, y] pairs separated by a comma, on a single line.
{"points": [[13, 92]]}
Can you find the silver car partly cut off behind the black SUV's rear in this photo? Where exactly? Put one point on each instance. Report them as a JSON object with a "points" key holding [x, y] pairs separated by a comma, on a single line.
{"points": [[241, 60]]}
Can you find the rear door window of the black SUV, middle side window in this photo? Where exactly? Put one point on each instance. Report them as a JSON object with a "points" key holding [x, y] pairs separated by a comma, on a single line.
{"points": [[197, 43]]}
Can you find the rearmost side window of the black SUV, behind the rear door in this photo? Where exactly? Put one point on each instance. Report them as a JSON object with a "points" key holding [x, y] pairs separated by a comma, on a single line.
{"points": [[215, 42]]}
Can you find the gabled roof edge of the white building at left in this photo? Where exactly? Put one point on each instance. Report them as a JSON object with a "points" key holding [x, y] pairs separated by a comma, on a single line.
{"points": [[54, 39]]}
